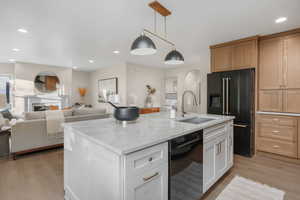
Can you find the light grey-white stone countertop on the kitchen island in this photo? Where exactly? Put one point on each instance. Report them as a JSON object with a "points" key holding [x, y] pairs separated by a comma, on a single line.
{"points": [[147, 131]]}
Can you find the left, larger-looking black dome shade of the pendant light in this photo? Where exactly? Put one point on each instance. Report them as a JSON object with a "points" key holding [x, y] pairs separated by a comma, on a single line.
{"points": [[143, 45]]}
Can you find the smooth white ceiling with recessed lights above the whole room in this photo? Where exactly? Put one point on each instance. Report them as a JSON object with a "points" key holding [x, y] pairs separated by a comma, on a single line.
{"points": [[71, 32]]}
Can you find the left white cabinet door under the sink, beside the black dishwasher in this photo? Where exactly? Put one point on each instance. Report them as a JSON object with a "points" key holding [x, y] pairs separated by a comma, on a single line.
{"points": [[209, 164]]}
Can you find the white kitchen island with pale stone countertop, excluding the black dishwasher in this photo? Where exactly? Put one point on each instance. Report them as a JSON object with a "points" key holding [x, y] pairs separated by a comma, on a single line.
{"points": [[105, 159]]}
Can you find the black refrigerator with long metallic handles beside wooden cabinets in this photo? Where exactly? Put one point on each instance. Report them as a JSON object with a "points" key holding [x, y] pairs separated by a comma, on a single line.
{"points": [[233, 93]]}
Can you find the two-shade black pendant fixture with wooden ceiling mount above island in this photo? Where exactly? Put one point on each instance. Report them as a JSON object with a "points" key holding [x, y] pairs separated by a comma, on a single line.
{"points": [[143, 45]]}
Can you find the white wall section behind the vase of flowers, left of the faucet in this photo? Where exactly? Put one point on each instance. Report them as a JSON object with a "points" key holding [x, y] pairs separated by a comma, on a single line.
{"points": [[137, 78]]}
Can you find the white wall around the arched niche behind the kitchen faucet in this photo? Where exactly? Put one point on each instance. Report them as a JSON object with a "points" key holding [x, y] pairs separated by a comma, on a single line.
{"points": [[181, 71]]}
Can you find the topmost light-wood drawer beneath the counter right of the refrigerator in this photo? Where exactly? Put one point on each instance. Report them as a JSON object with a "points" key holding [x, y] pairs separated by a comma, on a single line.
{"points": [[277, 120]]}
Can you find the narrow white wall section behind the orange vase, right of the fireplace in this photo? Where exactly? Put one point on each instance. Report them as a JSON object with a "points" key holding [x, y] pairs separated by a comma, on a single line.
{"points": [[81, 80]]}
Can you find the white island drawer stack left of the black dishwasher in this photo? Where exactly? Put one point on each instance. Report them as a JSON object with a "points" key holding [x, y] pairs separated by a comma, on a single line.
{"points": [[146, 176]]}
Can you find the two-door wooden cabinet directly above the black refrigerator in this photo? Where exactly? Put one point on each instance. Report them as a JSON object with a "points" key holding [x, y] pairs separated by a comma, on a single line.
{"points": [[241, 54]]}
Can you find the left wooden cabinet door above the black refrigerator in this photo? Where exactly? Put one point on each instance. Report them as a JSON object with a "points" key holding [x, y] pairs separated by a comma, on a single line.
{"points": [[221, 59]]}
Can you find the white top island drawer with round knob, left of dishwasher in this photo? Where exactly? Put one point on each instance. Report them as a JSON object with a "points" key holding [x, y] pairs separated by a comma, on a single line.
{"points": [[146, 159]]}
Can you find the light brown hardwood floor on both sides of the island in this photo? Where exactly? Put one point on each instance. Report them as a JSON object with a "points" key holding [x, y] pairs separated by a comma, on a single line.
{"points": [[39, 176]]}
